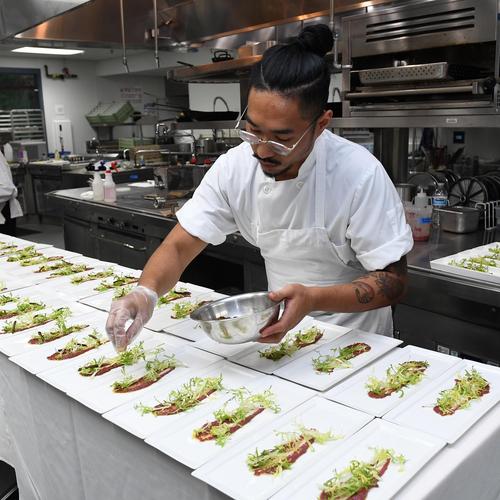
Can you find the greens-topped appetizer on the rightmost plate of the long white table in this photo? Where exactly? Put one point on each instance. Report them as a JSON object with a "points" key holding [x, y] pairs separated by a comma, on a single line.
{"points": [[467, 388]]}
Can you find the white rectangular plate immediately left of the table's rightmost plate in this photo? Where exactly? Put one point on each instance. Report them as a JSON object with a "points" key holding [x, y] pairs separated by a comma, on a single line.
{"points": [[352, 392]]}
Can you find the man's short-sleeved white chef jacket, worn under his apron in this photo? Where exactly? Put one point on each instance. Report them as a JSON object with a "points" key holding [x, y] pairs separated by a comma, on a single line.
{"points": [[364, 217]]}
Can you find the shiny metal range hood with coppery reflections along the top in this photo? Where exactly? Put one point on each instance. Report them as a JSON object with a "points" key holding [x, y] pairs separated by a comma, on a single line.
{"points": [[194, 21]]}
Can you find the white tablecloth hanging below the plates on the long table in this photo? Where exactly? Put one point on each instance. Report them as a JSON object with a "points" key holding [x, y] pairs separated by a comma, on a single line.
{"points": [[62, 449]]}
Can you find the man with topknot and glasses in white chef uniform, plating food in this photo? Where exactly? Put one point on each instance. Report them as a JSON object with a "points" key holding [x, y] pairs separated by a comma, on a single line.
{"points": [[322, 210]]}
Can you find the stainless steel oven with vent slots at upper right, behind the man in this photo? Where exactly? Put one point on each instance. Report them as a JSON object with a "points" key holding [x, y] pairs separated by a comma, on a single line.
{"points": [[438, 57]]}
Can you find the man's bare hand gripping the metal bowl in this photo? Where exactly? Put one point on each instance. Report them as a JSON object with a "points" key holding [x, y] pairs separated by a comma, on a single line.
{"points": [[298, 303]]}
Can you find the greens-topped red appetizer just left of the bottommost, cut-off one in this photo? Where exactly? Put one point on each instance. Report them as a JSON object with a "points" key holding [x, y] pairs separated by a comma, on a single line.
{"points": [[281, 457]]}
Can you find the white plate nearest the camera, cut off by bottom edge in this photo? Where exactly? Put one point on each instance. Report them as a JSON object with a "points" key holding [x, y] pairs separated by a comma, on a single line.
{"points": [[416, 447]]}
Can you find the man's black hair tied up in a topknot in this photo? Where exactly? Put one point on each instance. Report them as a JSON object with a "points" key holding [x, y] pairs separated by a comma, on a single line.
{"points": [[298, 69]]}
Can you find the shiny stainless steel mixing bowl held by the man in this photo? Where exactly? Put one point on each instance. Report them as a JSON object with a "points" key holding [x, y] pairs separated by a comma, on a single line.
{"points": [[237, 319]]}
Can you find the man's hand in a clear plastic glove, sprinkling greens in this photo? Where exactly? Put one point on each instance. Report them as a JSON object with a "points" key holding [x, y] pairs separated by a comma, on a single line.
{"points": [[138, 306]]}
